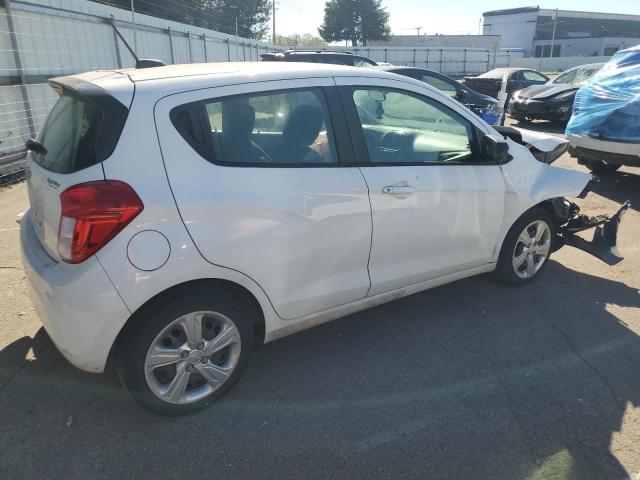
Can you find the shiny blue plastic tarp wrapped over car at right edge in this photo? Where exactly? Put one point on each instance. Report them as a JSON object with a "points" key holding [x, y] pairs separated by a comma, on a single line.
{"points": [[607, 107]]}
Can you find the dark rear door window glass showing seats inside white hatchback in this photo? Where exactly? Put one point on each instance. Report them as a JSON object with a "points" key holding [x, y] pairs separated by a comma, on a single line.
{"points": [[284, 128]]}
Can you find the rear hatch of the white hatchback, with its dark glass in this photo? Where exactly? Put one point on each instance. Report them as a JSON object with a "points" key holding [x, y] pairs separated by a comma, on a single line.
{"points": [[80, 132]]}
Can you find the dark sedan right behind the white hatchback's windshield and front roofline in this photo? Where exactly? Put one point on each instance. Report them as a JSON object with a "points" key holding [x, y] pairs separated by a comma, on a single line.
{"points": [[476, 102]]}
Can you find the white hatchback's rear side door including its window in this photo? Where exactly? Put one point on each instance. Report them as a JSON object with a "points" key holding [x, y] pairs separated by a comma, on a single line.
{"points": [[263, 177]]}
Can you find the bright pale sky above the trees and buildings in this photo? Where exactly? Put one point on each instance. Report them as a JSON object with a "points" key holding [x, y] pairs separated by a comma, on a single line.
{"points": [[456, 17]]}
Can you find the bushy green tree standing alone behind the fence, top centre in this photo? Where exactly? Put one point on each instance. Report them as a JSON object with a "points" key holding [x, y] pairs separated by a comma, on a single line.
{"points": [[356, 20]]}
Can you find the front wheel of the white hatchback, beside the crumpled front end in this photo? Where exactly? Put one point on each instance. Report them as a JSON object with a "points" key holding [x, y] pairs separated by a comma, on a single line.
{"points": [[526, 248]]}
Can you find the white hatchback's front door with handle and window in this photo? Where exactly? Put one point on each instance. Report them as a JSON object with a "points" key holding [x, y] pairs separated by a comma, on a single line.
{"points": [[437, 207]]}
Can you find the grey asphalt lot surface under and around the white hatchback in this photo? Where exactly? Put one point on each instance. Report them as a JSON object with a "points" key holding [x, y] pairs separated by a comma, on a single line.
{"points": [[470, 380]]}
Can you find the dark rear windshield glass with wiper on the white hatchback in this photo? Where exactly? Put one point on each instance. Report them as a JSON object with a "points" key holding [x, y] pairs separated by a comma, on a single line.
{"points": [[70, 135]]}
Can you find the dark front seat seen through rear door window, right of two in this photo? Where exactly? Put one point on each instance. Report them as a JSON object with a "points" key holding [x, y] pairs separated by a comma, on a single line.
{"points": [[300, 130]]}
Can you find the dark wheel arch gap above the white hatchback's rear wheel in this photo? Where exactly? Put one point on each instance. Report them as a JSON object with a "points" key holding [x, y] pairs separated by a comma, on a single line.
{"points": [[237, 290]]}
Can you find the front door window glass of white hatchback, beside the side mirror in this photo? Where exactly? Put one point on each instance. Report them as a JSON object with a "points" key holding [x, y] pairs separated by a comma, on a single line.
{"points": [[403, 128]]}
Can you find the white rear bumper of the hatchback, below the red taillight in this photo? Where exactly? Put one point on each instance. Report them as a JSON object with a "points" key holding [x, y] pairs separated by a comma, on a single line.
{"points": [[77, 304]]}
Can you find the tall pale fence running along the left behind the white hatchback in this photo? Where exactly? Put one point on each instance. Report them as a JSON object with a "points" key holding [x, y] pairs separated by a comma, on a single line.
{"points": [[40, 39]]}
